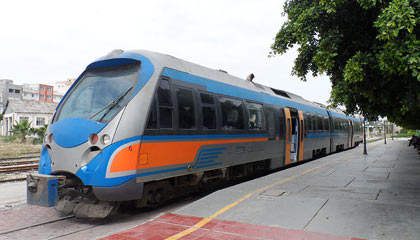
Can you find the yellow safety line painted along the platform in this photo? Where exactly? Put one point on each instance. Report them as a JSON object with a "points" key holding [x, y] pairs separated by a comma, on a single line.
{"points": [[208, 219]]}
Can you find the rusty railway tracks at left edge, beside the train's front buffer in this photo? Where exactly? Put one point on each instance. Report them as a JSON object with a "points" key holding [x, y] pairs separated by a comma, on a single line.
{"points": [[15, 169]]}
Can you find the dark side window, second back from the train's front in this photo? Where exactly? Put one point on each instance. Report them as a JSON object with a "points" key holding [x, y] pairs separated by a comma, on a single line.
{"points": [[186, 110]]}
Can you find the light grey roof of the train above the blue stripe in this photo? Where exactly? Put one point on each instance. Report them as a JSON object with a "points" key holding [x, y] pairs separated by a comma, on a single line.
{"points": [[164, 60]]}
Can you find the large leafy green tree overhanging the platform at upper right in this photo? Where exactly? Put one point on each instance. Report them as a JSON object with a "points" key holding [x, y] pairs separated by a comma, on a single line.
{"points": [[370, 50]]}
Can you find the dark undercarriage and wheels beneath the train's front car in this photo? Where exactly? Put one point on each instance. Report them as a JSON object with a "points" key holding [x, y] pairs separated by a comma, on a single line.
{"points": [[80, 200]]}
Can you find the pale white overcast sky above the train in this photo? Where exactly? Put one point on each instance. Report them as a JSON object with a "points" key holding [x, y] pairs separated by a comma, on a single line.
{"points": [[47, 41]]}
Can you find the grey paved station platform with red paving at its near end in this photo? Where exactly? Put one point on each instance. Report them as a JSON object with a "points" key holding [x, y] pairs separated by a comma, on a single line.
{"points": [[346, 195]]}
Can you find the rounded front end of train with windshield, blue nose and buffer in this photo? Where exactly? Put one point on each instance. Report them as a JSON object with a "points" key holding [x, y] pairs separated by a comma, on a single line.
{"points": [[84, 167]]}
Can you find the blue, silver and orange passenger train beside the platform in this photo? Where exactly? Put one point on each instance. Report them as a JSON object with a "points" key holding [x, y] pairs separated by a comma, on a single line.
{"points": [[140, 126]]}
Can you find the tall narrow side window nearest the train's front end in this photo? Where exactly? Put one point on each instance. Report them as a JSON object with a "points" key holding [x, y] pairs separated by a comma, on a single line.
{"points": [[165, 104]]}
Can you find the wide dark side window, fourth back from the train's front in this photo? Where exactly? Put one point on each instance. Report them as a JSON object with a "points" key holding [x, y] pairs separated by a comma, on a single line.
{"points": [[232, 113]]}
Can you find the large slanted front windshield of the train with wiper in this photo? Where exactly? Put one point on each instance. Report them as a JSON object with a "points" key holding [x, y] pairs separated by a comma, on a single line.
{"points": [[100, 93]]}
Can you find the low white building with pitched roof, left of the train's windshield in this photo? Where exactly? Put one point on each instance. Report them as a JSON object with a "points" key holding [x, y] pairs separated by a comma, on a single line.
{"points": [[37, 113]]}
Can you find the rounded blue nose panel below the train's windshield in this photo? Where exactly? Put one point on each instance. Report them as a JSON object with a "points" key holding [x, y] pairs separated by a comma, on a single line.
{"points": [[72, 132]]}
